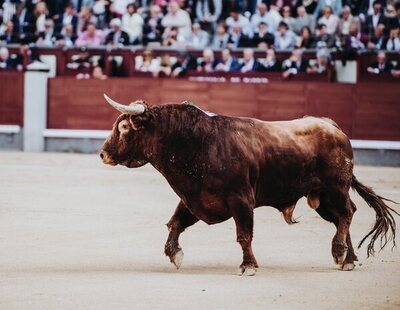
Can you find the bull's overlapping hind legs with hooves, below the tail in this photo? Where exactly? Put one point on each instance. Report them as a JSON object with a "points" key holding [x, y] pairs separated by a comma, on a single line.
{"points": [[339, 209]]}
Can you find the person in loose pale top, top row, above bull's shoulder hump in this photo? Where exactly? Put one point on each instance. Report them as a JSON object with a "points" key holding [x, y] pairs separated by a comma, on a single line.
{"points": [[177, 18]]}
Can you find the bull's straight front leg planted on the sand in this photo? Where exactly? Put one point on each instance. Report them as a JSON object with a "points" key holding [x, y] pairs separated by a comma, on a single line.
{"points": [[242, 212]]}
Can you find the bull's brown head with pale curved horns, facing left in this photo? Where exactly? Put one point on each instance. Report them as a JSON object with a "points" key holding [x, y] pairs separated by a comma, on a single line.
{"points": [[129, 142]]}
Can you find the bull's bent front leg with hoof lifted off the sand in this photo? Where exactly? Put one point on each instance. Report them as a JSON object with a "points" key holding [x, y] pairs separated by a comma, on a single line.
{"points": [[181, 219]]}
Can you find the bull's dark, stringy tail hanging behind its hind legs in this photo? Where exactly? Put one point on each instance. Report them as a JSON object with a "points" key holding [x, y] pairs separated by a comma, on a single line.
{"points": [[385, 225]]}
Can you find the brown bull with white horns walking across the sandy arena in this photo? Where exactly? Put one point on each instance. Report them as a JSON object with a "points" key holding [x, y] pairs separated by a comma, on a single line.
{"points": [[223, 167]]}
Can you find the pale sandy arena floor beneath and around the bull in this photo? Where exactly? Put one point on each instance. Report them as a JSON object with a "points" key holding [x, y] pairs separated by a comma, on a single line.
{"points": [[75, 234]]}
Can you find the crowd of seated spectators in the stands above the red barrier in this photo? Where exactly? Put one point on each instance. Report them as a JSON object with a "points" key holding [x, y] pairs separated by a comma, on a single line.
{"points": [[273, 25]]}
